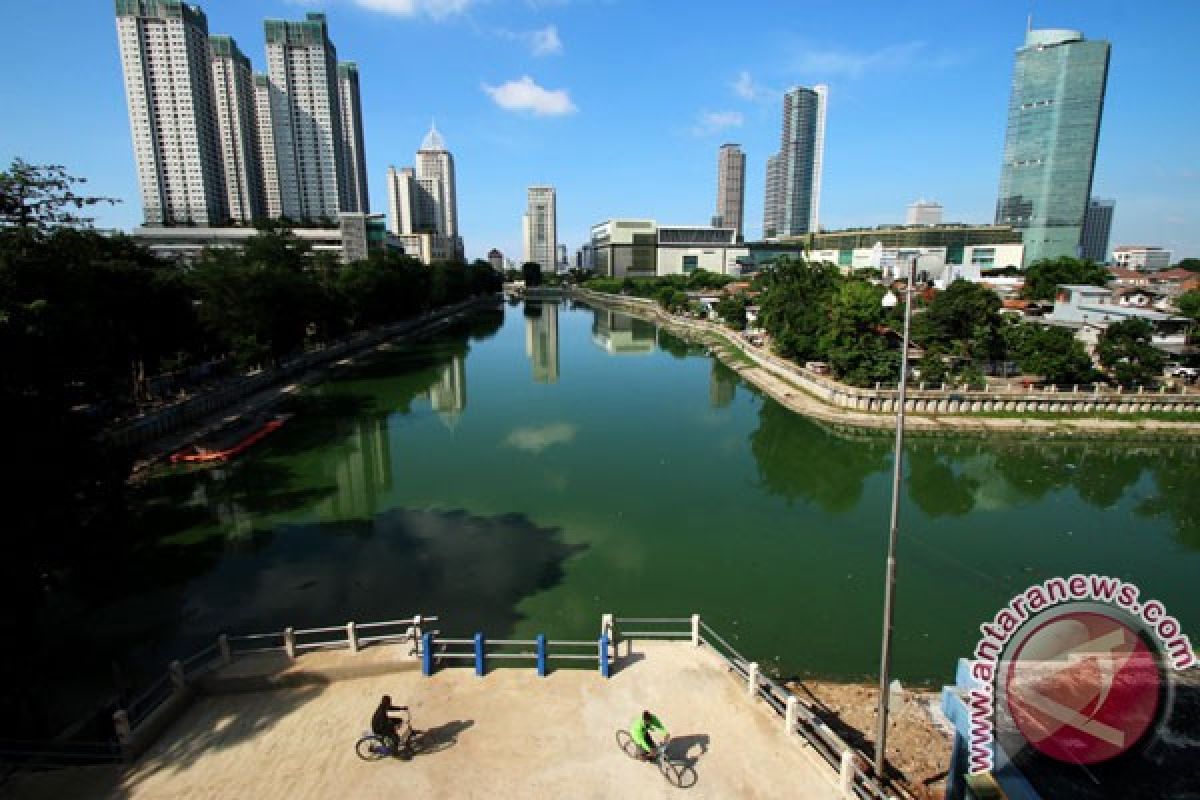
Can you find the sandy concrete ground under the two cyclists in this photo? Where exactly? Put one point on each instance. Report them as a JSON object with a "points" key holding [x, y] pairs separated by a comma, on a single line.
{"points": [[511, 735]]}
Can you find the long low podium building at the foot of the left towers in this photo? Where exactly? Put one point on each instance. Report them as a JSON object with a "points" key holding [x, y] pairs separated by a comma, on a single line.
{"points": [[351, 240]]}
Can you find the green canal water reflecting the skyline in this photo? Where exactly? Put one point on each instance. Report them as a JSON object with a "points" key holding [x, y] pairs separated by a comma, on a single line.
{"points": [[533, 470]]}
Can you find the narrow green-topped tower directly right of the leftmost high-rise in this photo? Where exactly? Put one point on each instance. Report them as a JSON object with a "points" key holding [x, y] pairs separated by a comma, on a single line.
{"points": [[233, 95]]}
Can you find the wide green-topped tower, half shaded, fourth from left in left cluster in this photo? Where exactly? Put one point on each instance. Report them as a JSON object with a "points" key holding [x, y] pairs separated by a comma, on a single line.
{"points": [[302, 65]]}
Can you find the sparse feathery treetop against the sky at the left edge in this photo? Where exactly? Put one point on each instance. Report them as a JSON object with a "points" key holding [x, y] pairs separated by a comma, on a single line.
{"points": [[39, 199]]}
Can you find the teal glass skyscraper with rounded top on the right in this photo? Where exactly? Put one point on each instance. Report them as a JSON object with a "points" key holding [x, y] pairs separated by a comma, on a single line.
{"points": [[1054, 123]]}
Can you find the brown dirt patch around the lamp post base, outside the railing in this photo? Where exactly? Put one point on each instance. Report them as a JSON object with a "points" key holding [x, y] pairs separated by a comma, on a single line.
{"points": [[919, 749]]}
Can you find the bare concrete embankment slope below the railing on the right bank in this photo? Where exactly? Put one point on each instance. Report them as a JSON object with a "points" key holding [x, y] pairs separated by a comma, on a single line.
{"points": [[799, 392]]}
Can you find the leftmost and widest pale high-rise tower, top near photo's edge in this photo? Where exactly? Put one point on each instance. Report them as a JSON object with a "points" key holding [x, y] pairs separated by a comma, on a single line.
{"points": [[169, 87]]}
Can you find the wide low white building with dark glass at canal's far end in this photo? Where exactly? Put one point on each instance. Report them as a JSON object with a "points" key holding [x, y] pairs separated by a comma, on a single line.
{"points": [[644, 249]]}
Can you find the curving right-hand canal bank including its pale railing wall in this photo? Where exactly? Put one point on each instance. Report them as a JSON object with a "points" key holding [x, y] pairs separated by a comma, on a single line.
{"points": [[1033, 414]]}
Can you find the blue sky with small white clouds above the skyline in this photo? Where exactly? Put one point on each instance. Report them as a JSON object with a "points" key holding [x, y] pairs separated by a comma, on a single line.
{"points": [[623, 104]]}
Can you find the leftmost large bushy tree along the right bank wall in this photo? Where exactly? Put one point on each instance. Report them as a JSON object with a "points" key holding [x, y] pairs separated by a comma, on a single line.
{"points": [[795, 306]]}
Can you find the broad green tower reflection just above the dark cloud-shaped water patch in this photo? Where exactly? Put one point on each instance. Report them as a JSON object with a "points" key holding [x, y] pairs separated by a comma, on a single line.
{"points": [[362, 472]]}
